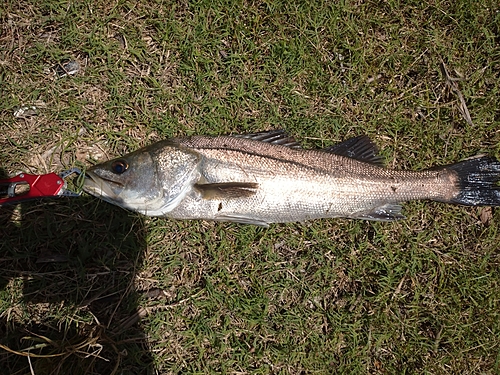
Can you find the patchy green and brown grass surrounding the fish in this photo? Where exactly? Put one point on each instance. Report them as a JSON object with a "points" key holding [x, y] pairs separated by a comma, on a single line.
{"points": [[92, 289]]}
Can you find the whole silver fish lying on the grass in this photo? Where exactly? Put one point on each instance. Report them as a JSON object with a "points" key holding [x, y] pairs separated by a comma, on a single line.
{"points": [[267, 177]]}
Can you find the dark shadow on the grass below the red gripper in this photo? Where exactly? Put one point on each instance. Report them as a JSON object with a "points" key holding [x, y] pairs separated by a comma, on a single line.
{"points": [[67, 296]]}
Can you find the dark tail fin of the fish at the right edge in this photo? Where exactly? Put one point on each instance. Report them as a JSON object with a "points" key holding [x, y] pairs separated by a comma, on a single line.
{"points": [[478, 181]]}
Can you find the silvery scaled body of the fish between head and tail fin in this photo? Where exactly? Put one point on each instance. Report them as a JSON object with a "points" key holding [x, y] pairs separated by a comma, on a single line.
{"points": [[291, 190]]}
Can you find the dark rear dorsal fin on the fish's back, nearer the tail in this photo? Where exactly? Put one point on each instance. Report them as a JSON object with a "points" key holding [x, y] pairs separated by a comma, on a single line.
{"points": [[360, 148]]}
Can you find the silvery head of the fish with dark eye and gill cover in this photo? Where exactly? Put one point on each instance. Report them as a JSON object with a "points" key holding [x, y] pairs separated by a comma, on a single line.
{"points": [[152, 180]]}
